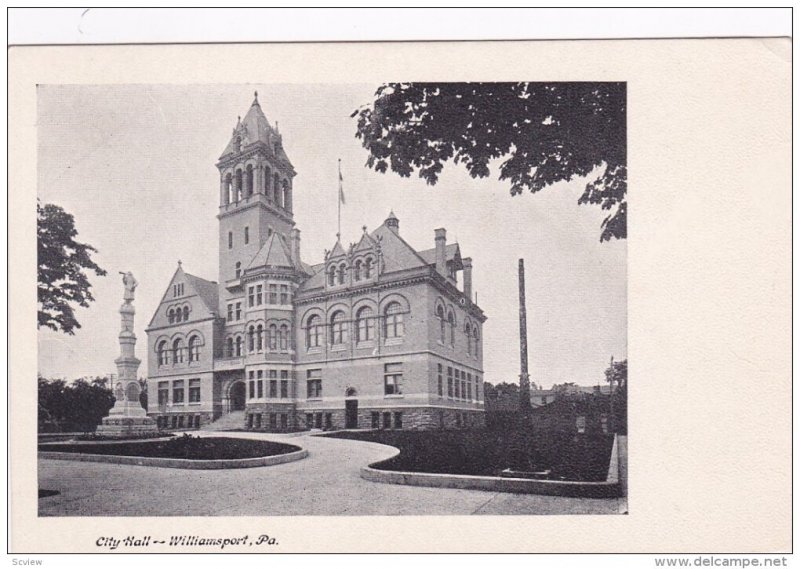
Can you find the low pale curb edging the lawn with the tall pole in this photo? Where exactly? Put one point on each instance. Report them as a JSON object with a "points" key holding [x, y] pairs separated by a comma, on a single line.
{"points": [[610, 488]]}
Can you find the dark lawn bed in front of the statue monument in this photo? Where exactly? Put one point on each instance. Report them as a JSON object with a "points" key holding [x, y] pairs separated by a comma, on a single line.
{"points": [[188, 447]]}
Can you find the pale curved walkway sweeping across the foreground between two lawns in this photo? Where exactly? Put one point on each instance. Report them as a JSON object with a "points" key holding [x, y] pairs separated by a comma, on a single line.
{"points": [[326, 483]]}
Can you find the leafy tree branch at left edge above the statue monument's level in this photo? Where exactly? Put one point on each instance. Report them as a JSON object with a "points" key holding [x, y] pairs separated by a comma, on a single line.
{"points": [[61, 265]]}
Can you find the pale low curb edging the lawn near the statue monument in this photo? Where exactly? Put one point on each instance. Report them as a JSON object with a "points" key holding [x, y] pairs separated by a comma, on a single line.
{"points": [[178, 462]]}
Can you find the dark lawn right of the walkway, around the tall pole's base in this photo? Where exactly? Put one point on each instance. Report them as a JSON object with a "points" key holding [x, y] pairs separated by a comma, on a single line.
{"points": [[487, 452]]}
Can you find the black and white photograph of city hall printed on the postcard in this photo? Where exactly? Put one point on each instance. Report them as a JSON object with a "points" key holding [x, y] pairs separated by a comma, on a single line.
{"points": [[394, 299]]}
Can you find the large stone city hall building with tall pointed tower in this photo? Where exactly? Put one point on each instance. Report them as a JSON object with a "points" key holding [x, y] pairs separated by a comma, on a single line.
{"points": [[376, 335]]}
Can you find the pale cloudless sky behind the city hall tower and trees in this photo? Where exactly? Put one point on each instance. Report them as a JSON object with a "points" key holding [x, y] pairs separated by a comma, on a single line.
{"points": [[135, 165]]}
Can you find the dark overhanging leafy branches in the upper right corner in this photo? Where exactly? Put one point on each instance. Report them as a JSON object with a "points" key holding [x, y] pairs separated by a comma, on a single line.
{"points": [[547, 133]]}
